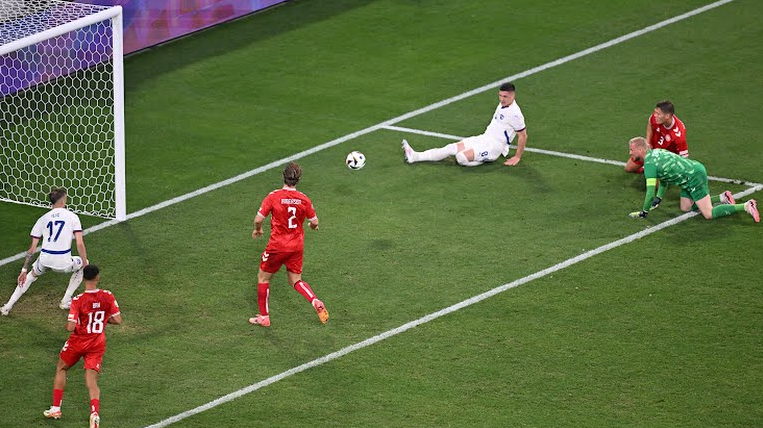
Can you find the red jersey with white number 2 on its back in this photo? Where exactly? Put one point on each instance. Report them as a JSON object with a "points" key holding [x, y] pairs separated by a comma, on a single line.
{"points": [[289, 208]]}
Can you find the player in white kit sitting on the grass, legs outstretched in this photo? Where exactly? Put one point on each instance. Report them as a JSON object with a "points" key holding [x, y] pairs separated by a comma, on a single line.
{"points": [[507, 122]]}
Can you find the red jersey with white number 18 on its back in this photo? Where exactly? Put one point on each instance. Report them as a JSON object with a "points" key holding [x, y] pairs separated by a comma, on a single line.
{"points": [[91, 311]]}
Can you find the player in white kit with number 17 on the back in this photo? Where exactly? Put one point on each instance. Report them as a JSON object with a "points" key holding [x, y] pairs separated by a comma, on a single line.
{"points": [[55, 229]]}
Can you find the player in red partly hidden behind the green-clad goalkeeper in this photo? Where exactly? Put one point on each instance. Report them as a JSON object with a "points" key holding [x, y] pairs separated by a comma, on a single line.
{"points": [[664, 131]]}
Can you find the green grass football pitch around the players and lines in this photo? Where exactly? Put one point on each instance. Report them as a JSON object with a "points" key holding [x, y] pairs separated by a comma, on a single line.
{"points": [[660, 332]]}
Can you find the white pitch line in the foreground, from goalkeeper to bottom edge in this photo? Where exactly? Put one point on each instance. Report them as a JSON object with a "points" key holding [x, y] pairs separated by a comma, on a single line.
{"points": [[431, 317]]}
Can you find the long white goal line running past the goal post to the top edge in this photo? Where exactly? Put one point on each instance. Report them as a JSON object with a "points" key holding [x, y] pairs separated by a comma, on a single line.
{"points": [[398, 119]]}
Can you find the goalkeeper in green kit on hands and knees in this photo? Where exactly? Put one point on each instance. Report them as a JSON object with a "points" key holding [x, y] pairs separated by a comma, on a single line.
{"points": [[669, 168]]}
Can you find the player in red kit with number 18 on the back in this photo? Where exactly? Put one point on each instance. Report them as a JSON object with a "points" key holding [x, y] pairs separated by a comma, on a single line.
{"points": [[88, 316]]}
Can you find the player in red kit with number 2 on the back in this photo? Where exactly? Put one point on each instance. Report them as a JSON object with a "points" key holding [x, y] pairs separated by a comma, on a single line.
{"points": [[288, 208]]}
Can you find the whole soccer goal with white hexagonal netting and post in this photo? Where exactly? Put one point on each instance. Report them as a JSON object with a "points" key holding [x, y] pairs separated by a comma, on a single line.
{"points": [[61, 105]]}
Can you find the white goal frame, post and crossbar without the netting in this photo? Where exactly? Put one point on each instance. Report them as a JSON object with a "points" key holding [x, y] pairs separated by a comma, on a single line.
{"points": [[114, 14]]}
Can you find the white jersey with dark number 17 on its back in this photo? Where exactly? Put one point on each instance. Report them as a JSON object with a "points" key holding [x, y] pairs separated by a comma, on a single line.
{"points": [[56, 230]]}
